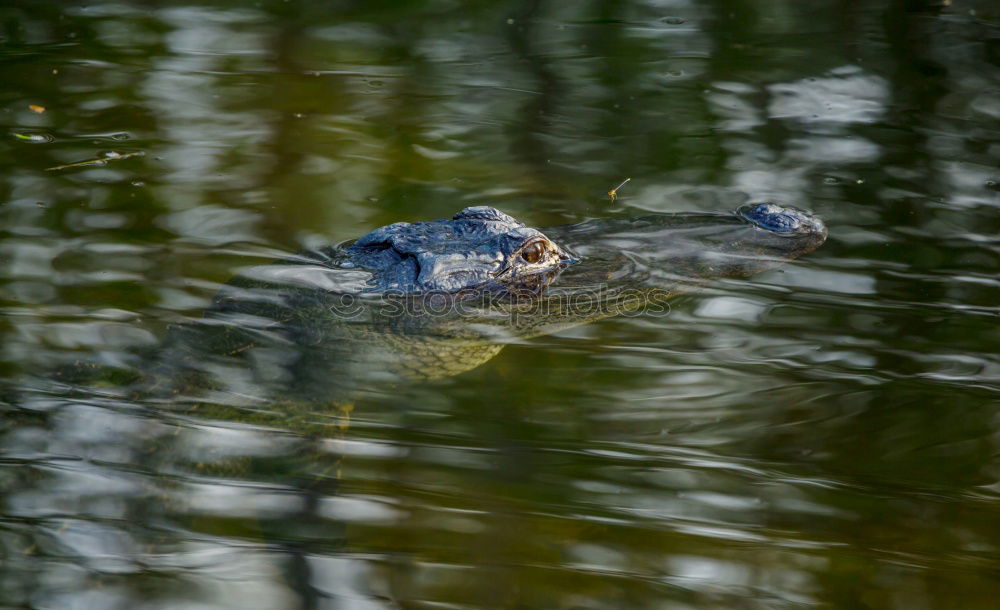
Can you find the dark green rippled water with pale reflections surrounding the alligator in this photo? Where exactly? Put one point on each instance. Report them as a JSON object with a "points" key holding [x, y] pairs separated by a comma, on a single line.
{"points": [[827, 435]]}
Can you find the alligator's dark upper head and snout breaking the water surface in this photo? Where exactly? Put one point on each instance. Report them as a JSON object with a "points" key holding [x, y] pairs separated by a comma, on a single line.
{"points": [[481, 250]]}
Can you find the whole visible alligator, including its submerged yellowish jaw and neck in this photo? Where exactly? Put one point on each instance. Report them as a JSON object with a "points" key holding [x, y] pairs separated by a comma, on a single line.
{"points": [[432, 299]]}
